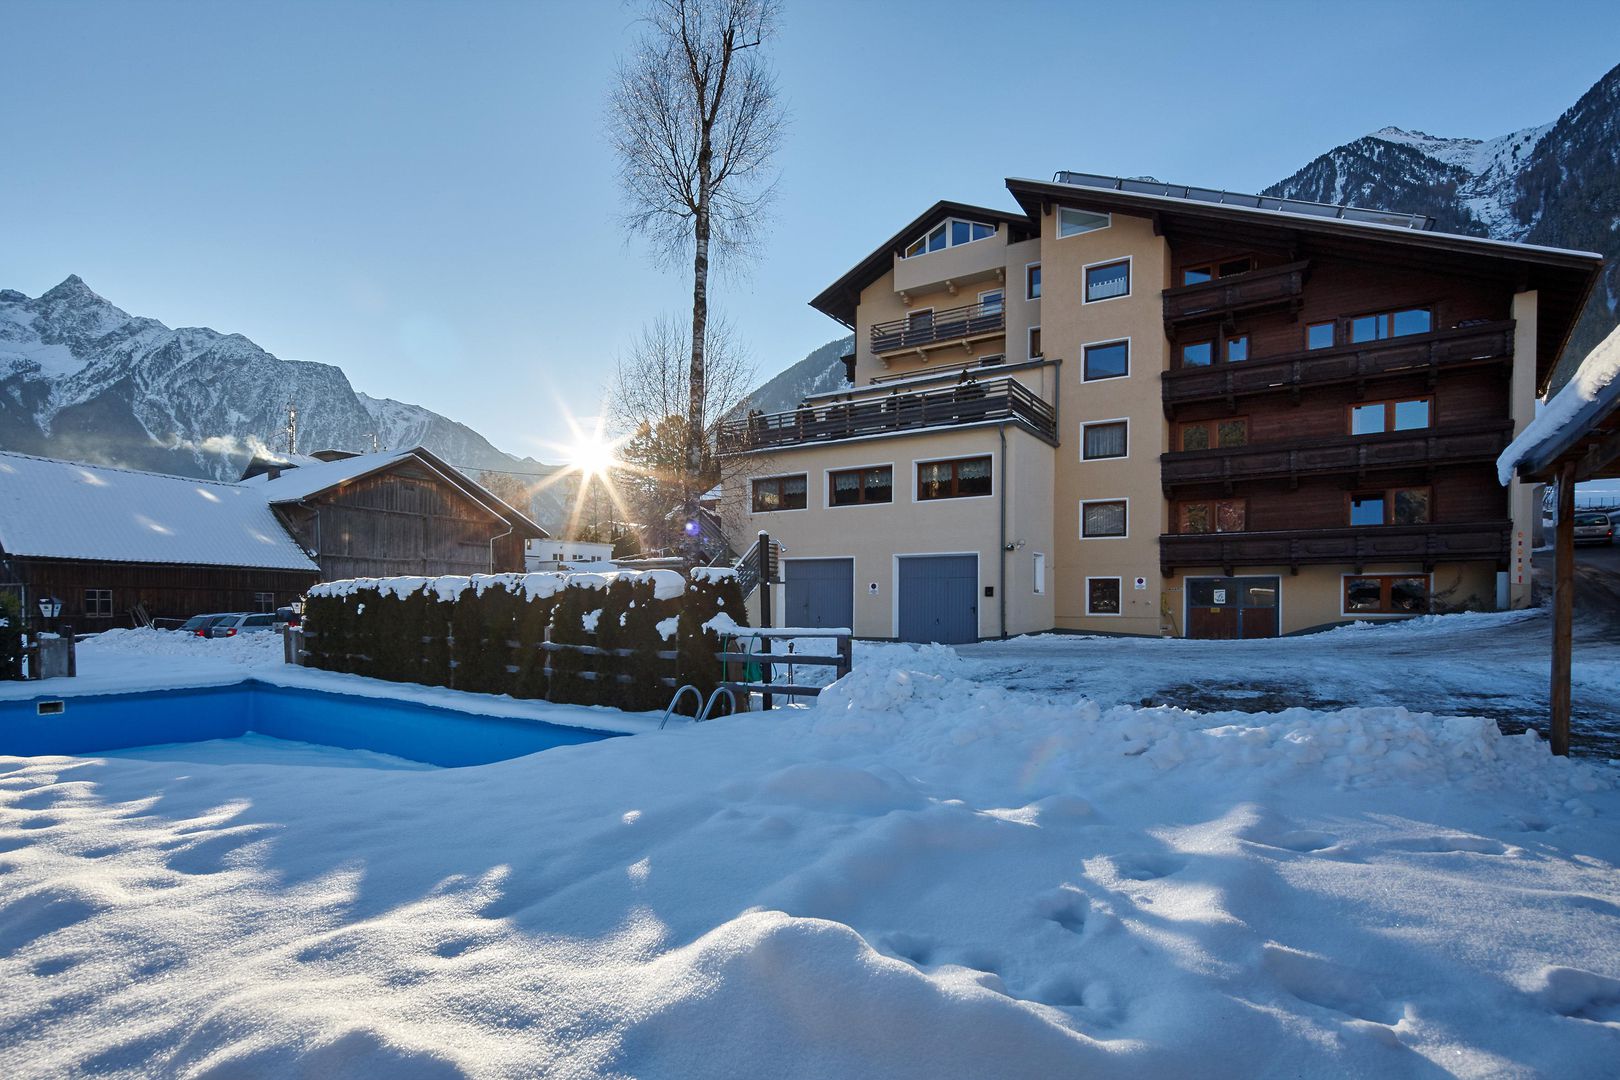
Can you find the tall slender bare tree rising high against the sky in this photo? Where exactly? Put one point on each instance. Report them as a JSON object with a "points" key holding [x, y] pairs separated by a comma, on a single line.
{"points": [[696, 122]]}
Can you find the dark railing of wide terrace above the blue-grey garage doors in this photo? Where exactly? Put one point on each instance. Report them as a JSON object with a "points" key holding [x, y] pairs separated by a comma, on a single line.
{"points": [[965, 404]]}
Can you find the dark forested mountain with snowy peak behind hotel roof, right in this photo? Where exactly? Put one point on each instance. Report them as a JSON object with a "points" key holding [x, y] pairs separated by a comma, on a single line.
{"points": [[1556, 185]]}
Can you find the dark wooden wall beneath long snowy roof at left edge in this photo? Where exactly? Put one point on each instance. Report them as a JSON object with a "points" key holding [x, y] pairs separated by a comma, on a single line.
{"points": [[160, 590]]}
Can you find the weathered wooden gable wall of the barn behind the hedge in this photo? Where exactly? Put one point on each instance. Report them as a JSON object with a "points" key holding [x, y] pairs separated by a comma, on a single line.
{"points": [[406, 521]]}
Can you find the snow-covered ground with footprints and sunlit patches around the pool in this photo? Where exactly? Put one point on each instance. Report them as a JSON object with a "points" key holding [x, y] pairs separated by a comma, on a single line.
{"points": [[926, 875]]}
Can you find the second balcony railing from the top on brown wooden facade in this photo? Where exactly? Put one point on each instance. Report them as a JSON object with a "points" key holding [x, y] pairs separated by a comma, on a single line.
{"points": [[1422, 354]]}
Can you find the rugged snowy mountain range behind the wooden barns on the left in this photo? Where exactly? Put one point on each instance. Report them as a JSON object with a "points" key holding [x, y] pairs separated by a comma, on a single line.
{"points": [[87, 381]]}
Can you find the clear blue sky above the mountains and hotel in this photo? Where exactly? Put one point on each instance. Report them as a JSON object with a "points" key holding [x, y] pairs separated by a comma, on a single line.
{"points": [[422, 195]]}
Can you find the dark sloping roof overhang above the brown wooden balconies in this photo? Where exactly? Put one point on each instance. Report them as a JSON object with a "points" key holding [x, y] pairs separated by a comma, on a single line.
{"points": [[1564, 279]]}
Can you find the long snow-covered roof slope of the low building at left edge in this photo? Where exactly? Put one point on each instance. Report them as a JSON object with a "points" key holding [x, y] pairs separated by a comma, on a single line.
{"points": [[54, 509]]}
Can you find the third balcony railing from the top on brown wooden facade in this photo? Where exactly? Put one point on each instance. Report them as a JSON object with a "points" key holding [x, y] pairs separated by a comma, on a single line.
{"points": [[1347, 454]]}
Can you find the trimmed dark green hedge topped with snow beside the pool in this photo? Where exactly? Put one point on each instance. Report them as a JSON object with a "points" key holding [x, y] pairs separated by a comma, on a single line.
{"points": [[488, 632]]}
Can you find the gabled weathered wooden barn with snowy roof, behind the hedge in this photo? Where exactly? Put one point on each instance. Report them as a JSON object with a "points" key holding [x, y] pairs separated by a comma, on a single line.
{"points": [[401, 512]]}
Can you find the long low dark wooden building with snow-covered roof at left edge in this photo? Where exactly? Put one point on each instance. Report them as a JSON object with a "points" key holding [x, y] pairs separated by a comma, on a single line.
{"points": [[119, 546]]}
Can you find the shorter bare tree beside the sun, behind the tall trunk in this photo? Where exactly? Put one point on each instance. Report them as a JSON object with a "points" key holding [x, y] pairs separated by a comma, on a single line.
{"points": [[647, 409]]}
